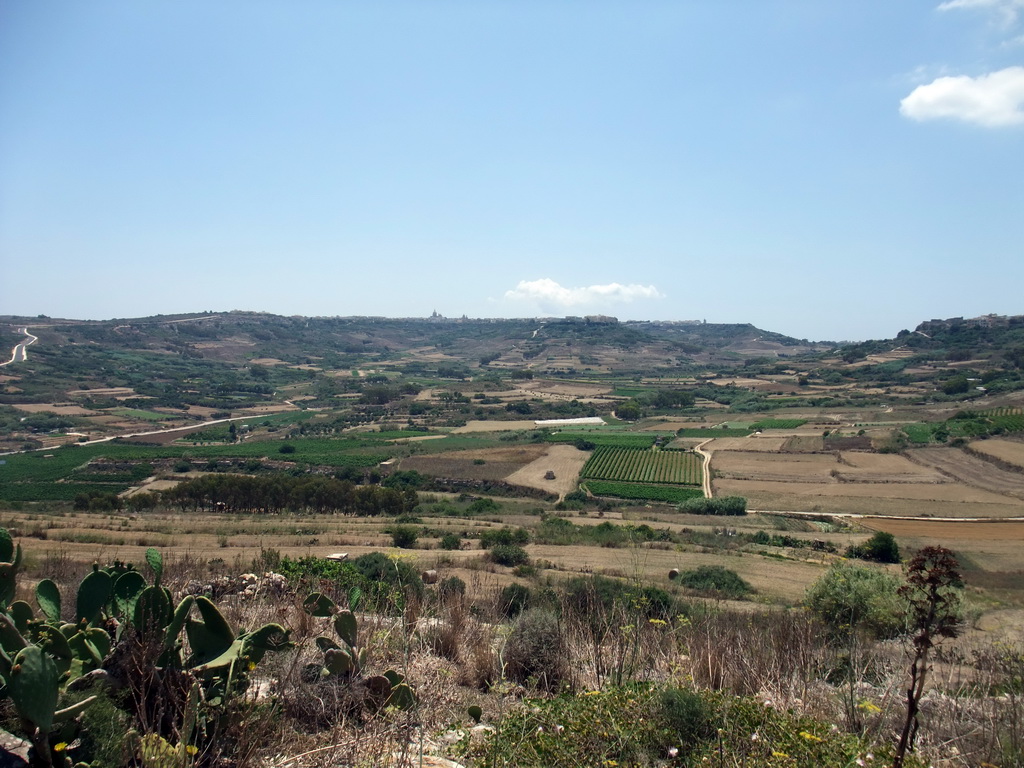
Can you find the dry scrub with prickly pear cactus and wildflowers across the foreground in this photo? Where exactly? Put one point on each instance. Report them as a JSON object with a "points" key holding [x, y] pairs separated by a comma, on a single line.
{"points": [[310, 662]]}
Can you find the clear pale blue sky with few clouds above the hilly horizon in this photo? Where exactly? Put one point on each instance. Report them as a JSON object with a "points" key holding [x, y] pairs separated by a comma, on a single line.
{"points": [[830, 170]]}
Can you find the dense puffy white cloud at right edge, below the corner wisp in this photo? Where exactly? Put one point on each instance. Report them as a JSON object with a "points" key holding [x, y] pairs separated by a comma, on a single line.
{"points": [[993, 101]]}
